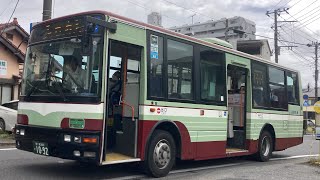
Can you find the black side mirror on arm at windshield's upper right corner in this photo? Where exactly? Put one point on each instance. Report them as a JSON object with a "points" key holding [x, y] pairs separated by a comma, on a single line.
{"points": [[91, 27]]}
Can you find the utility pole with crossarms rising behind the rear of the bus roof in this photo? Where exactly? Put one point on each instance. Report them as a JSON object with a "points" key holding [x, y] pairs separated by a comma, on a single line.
{"points": [[277, 13]]}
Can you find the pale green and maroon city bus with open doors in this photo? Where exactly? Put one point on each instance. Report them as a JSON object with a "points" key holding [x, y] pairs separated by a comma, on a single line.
{"points": [[98, 87]]}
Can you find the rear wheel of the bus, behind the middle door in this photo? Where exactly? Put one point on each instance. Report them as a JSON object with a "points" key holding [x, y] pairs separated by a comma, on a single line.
{"points": [[265, 147]]}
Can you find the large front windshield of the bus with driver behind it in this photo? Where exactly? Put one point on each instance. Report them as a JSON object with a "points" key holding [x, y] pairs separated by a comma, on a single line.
{"points": [[59, 68]]}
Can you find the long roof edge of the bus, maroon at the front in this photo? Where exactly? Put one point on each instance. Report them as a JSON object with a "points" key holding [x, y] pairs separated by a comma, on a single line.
{"points": [[219, 45]]}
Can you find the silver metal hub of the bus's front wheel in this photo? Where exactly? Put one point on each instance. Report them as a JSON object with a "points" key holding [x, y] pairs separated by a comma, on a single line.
{"points": [[162, 154]]}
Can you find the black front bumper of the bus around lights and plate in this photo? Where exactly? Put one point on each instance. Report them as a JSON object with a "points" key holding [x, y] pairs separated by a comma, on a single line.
{"points": [[54, 137]]}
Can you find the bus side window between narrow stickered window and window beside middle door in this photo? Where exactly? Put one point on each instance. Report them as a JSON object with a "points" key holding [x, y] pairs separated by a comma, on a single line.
{"points": [[180, 59]]}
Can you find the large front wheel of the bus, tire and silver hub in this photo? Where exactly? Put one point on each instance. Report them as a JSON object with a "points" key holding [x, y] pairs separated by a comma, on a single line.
{"points": [[161, 154]]}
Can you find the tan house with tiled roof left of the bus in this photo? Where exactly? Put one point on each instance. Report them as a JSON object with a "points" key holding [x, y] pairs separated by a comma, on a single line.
{"points": [[13, 45]]}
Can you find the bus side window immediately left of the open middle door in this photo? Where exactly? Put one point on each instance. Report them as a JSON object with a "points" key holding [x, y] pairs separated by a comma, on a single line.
{"points": [[213, 76]]}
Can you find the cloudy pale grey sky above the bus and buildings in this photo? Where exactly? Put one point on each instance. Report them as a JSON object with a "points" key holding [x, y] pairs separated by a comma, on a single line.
{"points": [[179, 12]]}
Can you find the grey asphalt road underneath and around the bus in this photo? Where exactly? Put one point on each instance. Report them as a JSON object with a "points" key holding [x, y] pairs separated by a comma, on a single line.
{"points": [[288, 164]]}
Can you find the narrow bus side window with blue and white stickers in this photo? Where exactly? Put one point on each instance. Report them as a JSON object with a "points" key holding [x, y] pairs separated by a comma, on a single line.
{"points": [[155, 84]]}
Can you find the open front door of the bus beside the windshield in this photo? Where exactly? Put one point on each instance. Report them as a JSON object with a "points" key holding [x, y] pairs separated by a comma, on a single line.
{"points": [[122, 102]]}
